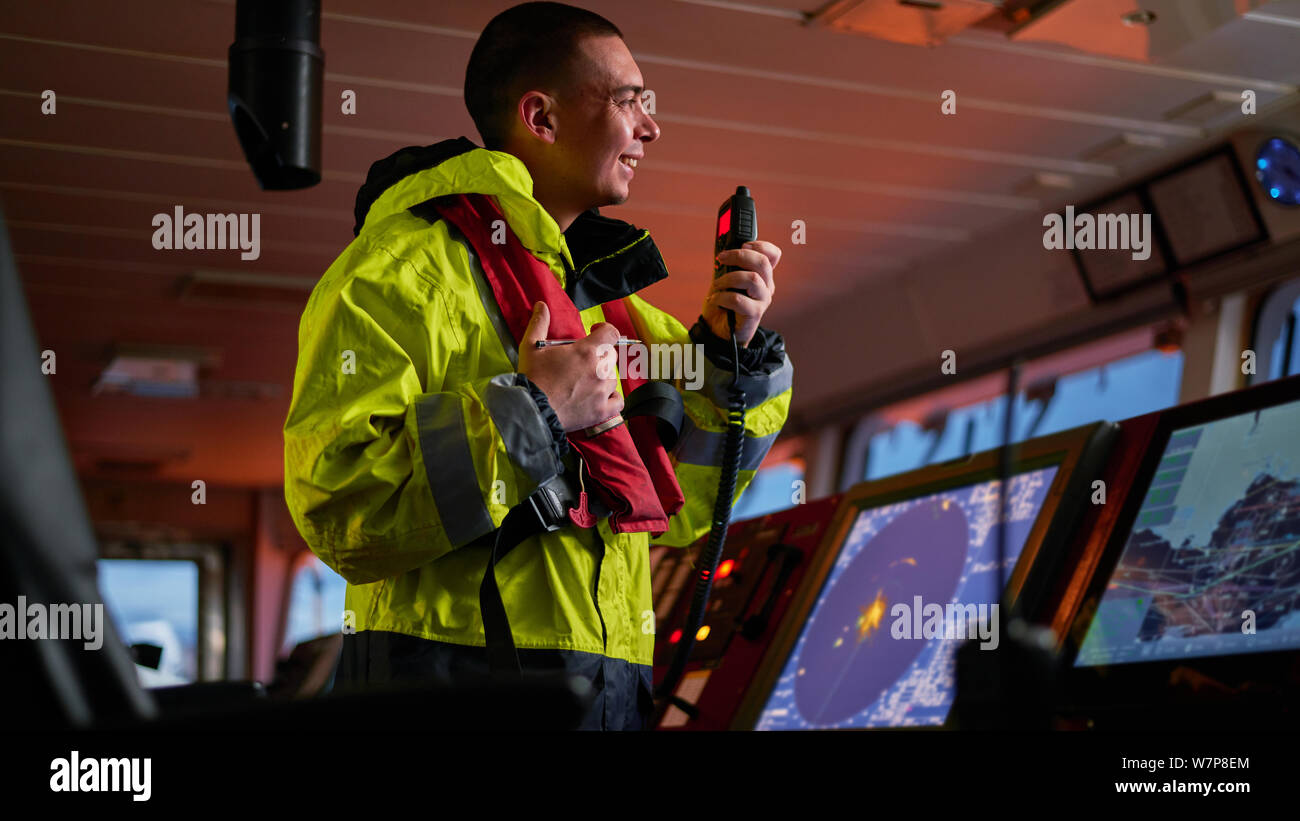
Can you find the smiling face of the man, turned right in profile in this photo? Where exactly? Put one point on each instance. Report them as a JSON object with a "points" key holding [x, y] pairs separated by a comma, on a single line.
{"points": [[601, 125]]}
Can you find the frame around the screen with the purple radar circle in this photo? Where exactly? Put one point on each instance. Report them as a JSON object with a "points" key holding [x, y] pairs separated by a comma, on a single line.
{"points": [[1063, 506]]}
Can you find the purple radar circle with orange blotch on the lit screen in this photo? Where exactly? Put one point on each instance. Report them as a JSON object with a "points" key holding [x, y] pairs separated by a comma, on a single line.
{"points": [[850, 658]]}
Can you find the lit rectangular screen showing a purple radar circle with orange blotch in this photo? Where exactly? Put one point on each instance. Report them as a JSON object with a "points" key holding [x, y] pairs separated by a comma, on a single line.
{"points": [[912, 581]]}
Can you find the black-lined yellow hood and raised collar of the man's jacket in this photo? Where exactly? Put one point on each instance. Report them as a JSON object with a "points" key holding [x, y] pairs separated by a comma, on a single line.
{"points": [[600, 259]]}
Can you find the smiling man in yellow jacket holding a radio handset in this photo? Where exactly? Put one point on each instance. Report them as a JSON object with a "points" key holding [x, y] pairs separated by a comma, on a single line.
{"points": [[422, 415]]}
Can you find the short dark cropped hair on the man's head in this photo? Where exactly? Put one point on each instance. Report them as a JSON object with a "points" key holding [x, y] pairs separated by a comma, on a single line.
{"points": [[528, 46]]}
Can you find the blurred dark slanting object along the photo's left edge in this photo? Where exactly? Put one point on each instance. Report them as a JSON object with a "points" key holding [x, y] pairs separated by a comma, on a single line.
{"points": [[49, 553]]}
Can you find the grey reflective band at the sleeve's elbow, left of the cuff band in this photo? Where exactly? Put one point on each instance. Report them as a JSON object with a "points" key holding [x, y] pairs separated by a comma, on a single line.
{"points": [[450, 468]]}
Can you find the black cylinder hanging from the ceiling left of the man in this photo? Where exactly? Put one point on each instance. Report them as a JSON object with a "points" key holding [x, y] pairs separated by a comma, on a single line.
{"points": [[275, 95]]}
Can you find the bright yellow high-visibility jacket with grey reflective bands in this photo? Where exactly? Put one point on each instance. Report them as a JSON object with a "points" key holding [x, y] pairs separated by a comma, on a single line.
{"points": [[409, 436]]}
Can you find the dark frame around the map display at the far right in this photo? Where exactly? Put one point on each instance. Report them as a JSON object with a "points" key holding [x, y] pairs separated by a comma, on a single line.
{"points": [[1116, 684]]}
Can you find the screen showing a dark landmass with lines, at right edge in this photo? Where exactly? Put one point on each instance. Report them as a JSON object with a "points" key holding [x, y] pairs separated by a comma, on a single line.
{"points": [[1211, 564]]}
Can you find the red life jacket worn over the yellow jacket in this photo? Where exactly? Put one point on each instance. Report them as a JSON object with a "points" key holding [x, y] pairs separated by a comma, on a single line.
{"points": [[629, 464]]}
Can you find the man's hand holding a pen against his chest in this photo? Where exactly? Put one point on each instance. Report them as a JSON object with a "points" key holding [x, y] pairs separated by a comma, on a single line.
{"points": [[579, 380]]}
